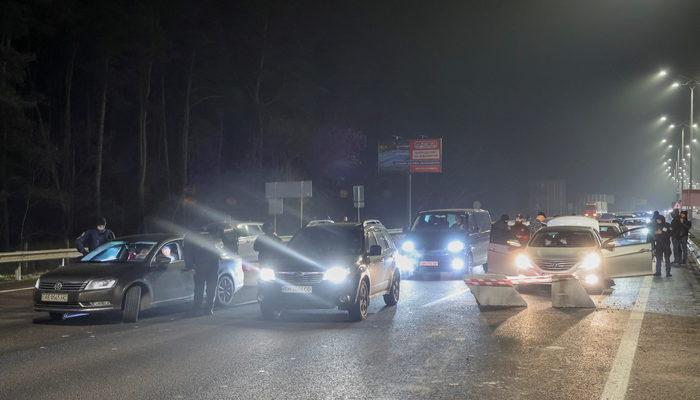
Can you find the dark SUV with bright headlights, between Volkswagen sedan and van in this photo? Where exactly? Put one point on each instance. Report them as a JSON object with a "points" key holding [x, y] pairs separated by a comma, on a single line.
{"points": [[329, 266]]}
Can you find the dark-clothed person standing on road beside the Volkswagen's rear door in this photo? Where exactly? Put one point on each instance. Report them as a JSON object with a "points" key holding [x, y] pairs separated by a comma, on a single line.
{"points": [[202, 254]]}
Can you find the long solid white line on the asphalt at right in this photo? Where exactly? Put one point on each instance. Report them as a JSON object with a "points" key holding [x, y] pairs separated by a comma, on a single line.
{"points": [[618, 379]]}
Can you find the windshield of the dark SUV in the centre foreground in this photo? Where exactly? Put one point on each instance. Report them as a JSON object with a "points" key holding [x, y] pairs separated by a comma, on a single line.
{"points": [[328, 240]]}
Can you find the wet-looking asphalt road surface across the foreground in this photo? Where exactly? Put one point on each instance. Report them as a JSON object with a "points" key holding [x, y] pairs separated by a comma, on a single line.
{"points": [[435, 344]]}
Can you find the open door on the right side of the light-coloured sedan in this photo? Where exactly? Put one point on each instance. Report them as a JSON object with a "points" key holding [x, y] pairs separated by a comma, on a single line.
{"points": [[628, 254]]}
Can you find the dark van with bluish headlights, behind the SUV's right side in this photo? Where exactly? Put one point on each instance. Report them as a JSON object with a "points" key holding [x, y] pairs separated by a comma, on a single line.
{"points": [[439, 242]]}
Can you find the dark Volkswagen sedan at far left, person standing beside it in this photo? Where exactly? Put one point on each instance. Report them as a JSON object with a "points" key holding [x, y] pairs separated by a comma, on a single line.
{"points": [[129, 275]]}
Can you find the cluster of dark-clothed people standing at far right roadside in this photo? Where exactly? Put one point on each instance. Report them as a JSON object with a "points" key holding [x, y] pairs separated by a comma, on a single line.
{"points": [[667, 238]]}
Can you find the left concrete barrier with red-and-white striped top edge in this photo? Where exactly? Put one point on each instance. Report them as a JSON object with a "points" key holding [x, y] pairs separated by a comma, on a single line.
{"points": [[494, 290]]}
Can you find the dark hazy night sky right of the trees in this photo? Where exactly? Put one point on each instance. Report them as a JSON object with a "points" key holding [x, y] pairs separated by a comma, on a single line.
{"points": [[555, 89]]}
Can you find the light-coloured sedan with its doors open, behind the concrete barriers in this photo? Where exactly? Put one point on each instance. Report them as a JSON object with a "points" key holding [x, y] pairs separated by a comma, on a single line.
{"points": [[573, 246]]}
